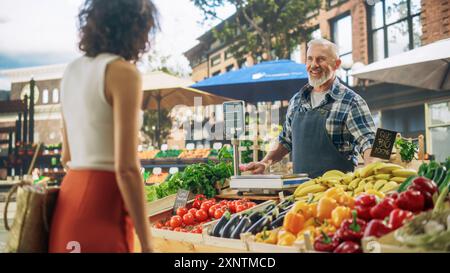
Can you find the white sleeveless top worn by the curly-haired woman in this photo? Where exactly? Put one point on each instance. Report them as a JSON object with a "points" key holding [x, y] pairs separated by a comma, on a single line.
{"points": [[88, 115]]}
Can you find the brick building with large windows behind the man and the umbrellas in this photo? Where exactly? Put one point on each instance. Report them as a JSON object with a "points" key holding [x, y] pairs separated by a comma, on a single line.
{"points": [[367, 31]]}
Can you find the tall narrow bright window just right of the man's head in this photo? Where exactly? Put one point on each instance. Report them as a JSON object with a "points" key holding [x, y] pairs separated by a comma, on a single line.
{"points": [[342, 37]]}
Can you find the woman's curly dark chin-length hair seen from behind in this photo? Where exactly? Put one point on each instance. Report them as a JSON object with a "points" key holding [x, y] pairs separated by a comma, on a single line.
{"points": [[120, 27]]}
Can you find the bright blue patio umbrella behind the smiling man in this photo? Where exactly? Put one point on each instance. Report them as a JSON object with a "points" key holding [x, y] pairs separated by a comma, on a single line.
{"points": [[266, 81]]}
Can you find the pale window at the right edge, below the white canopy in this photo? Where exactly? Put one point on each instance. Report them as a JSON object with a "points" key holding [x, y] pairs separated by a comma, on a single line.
{"points": [[438, 129]]}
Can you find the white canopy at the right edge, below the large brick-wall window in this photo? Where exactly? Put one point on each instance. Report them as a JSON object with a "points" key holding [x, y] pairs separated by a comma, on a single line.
{"points": [[424, 67]]}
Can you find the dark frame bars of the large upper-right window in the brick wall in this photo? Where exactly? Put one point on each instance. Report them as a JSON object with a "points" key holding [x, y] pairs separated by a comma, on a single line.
{"points": [[409, 19]]}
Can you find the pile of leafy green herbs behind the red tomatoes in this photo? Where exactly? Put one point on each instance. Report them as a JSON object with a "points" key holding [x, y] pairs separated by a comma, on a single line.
{"points": [[200, 178]]}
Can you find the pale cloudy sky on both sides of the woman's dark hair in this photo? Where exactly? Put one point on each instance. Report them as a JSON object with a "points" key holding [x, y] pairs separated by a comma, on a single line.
{"points": [[42, 32]]}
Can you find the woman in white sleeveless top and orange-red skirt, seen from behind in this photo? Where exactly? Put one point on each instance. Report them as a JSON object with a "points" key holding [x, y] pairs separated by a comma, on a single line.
{"points": [[102, 196]]}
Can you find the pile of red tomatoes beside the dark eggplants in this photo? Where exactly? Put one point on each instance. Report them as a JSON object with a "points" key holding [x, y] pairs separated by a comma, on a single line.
{"points": [[203, 210]]}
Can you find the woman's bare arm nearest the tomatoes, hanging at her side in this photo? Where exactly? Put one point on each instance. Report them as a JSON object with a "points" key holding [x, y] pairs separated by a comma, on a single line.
{"points": [[124, 90]]}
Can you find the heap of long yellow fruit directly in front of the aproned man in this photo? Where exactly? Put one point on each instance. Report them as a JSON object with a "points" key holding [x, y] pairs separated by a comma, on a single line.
{"points": [[377, 178]]}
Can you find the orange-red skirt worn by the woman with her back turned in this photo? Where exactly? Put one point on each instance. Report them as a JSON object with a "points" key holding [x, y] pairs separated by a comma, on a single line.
{"points": [[90, 215]]}
